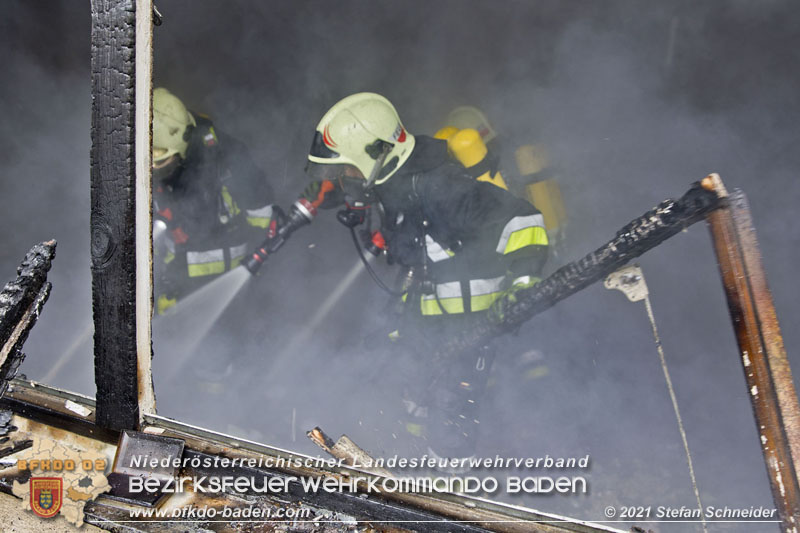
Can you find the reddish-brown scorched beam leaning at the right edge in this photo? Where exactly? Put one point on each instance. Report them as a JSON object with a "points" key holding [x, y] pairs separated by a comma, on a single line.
{"points": [[766, 368]]}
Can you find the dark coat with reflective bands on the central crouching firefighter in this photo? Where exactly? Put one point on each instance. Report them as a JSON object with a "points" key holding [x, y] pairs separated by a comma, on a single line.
{"points": [[471, 238]]}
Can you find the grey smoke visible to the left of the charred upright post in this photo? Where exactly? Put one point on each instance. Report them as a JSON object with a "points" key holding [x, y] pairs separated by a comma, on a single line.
{"points": [[45, 172]]}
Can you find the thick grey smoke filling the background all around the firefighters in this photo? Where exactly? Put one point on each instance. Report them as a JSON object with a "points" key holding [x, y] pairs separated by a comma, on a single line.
{"points": [[632, 100]]}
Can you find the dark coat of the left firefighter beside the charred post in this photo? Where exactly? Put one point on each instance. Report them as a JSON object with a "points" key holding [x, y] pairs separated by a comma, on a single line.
{"points": [[217, 206]]}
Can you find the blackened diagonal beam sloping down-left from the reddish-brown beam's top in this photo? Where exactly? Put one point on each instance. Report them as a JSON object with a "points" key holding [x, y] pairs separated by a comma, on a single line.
{"points": [[637, 237]]}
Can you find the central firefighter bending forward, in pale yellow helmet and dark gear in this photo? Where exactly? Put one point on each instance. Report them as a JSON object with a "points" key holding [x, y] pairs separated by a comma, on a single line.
{"points": [[467, 245]]}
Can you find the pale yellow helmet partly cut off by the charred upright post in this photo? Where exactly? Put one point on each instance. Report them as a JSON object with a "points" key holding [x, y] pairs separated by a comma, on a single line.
{"points": [[172, 125]]}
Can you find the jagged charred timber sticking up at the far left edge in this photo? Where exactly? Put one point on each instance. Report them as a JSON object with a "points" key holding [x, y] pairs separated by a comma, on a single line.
{"points": [[21, 302]]}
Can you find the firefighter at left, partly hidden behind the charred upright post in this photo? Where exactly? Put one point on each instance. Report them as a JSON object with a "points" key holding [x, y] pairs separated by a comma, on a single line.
{"points": [[211, 203]]}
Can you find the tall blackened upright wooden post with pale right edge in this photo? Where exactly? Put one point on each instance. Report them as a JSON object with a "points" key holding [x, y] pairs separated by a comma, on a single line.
{"points": [[114, 215]]}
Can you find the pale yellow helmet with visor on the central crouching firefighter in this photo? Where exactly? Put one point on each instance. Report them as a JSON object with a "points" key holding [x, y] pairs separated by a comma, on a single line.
{"points": [[361, 132]]}
